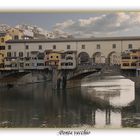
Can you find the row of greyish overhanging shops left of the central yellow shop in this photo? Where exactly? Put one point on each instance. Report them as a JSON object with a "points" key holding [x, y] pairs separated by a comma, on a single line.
{"points": [[34, 62]]}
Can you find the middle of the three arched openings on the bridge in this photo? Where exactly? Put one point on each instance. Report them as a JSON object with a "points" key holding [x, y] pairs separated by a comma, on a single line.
{"points": [[98, 58]]}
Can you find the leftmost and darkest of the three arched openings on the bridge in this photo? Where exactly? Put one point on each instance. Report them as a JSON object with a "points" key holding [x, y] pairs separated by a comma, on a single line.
{"points": [[83, 58]]}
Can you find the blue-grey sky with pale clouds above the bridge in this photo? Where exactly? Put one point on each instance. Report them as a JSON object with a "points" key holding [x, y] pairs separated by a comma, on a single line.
{"points": [[80, 24]]}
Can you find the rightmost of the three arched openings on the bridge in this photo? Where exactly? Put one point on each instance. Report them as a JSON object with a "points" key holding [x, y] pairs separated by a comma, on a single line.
{"points": [[113, 58]]}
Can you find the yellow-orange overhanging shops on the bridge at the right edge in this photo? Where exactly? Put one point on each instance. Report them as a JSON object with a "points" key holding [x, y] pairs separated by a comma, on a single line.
{"points": [[131, 59]]}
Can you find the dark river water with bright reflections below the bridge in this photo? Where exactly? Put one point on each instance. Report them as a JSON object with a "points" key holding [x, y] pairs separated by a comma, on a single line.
{"points": [[108, 102]]}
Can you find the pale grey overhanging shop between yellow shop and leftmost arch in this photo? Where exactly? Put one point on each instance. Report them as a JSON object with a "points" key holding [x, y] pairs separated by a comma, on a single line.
{"points": [[68, 60]]}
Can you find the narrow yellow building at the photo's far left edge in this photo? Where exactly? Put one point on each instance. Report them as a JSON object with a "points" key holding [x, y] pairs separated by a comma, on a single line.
{"points": [[3, 38]]}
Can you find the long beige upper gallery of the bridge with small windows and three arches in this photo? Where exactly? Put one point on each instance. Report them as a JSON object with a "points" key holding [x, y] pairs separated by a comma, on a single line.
{"points": [[89, 50]]}
